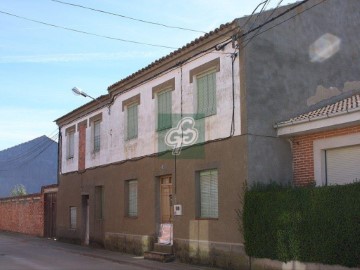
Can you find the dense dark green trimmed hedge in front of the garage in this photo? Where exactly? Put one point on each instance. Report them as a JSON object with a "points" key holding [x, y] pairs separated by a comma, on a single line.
{"points": [[309, 224]]}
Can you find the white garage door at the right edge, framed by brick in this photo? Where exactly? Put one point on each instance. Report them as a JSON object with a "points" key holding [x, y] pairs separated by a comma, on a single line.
{"points": [[343, 165]]}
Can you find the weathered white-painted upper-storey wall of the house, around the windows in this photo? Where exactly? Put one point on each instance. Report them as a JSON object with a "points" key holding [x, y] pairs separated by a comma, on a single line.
{"points": [[115, 147]]}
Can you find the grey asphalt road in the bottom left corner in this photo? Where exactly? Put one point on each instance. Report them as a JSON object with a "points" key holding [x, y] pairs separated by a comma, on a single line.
{"points": [[18, 252]]}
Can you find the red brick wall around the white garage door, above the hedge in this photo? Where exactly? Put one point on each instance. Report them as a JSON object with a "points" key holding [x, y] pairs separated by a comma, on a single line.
{"points": [[303, 156]]}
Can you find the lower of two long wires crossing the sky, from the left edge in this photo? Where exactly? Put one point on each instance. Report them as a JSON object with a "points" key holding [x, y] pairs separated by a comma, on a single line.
{"points": [[85, 32]]}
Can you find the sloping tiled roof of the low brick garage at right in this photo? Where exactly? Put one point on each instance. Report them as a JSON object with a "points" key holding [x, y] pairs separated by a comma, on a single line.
{"points": [[342, 106]]}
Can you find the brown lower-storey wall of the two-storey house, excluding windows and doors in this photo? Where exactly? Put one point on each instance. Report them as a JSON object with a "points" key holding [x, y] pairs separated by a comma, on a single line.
{"points": [[115, 228]]}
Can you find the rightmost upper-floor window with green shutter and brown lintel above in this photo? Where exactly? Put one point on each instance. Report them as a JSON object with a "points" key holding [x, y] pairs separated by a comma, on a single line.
{"points": [[205, 77]]}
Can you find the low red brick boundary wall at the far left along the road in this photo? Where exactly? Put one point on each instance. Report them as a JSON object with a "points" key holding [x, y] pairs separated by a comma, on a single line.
{"points": [[23, 214]]}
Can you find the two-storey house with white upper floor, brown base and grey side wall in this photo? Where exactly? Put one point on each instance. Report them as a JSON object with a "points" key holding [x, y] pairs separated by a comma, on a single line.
{"points": [[120, 178]]}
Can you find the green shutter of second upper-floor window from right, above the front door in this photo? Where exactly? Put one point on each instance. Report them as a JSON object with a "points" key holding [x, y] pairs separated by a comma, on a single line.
{"points": [[164, 110]]}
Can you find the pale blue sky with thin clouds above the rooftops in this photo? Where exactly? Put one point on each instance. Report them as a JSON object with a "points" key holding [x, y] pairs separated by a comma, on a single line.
{"points": [[40, 64]]}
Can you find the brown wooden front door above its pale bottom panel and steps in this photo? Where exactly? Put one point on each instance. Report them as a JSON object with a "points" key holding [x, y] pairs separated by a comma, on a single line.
{"points": [[166, 213]]}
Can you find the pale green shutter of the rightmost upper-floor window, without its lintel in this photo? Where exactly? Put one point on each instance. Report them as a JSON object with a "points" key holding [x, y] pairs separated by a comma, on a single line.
{"points": [[206, 94]]}
